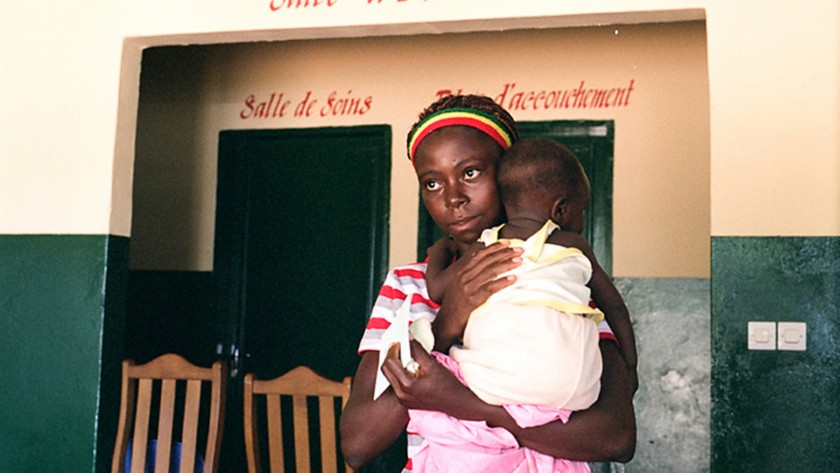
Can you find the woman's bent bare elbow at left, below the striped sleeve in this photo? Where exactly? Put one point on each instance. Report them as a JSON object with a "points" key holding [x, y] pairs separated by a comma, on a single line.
{"points": [[361, 439]]}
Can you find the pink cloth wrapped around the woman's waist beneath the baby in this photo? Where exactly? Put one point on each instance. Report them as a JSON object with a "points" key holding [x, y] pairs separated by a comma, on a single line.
{"points": [[450, 444]]}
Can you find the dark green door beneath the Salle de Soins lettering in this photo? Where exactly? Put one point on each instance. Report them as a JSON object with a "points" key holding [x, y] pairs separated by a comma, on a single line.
{"points": [[300, 252]]}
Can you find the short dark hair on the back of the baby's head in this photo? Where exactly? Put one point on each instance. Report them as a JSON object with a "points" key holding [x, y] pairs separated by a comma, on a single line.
{"points": [[542, 166]]}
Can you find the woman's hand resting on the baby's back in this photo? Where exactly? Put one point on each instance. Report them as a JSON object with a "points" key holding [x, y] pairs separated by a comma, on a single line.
{"points": [[476, 278]]}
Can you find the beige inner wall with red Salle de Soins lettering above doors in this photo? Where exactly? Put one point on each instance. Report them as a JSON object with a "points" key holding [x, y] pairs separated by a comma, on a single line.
{"points": [[661, 175]]}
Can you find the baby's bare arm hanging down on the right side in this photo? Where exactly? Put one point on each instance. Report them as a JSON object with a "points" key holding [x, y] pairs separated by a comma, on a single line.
{"points": [[608, 300]]}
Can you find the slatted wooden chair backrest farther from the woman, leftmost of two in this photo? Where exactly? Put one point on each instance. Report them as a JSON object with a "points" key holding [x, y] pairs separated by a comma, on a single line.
{"points": [[172, 387]]}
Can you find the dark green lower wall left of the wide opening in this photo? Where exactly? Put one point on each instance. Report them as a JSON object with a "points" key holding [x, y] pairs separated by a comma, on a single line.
{"points": [[60, 342]]}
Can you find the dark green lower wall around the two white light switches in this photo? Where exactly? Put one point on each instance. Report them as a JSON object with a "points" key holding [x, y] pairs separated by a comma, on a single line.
{"points": [[775, 411]]}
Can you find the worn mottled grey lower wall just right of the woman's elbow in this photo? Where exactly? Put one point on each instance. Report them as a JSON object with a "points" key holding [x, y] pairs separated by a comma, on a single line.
{"points": [[671, 321]]}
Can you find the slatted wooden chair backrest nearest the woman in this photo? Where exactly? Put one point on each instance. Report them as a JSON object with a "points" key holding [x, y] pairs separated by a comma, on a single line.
{"points": [[299, 383]]}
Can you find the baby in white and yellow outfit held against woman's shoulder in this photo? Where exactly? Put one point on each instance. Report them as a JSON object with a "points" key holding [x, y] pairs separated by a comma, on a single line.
{"points": [[536, 341]]}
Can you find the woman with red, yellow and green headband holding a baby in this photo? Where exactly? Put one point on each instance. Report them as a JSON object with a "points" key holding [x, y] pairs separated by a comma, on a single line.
{"points": [[455, 156]]}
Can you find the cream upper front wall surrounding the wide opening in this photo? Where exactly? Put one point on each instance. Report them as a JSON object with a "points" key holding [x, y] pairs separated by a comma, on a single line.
{"points": [[65, 158]]}
